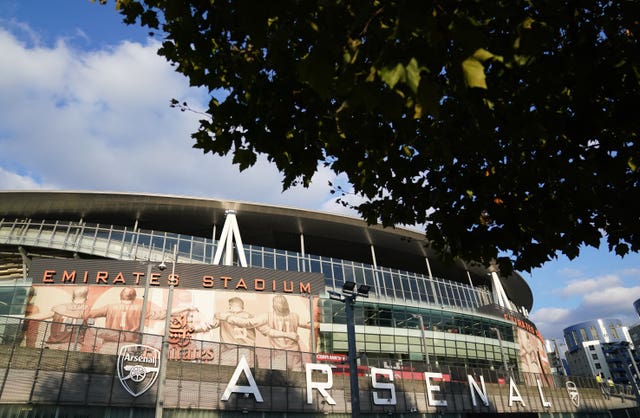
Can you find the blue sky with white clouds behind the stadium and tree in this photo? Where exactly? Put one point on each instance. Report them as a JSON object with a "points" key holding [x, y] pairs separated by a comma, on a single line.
{"points": [[85, 106]]}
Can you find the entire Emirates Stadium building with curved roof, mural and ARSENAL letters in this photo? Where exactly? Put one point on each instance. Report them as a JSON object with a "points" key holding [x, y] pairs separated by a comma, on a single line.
{"points": [[115, 304]]}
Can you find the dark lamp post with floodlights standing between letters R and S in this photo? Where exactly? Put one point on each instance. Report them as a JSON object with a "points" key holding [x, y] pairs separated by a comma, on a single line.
{"points": [[350, 291]]}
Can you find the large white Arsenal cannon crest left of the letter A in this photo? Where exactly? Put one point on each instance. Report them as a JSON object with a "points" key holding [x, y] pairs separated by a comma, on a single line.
{"points": [[138, 367]]}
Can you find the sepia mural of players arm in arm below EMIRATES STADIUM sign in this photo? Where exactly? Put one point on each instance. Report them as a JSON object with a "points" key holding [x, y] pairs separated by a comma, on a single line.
{"points": [[204, 324]]}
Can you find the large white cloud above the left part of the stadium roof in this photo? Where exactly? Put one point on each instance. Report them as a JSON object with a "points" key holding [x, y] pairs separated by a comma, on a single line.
{"points": [[100, 120]]}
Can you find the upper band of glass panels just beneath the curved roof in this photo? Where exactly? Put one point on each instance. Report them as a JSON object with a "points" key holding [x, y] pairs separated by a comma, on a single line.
{"points": [[123, 243]]}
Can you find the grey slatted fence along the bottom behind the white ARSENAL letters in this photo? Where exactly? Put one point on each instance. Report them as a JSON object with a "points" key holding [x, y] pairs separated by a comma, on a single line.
{"points": [[82, 371]]}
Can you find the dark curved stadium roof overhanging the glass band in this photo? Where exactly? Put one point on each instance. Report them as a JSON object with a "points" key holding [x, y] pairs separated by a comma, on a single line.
{"points": [[262, 225]]}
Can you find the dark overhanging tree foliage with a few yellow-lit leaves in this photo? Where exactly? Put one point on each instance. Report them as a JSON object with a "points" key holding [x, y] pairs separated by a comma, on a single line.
{"points": [[507, 127]]}
